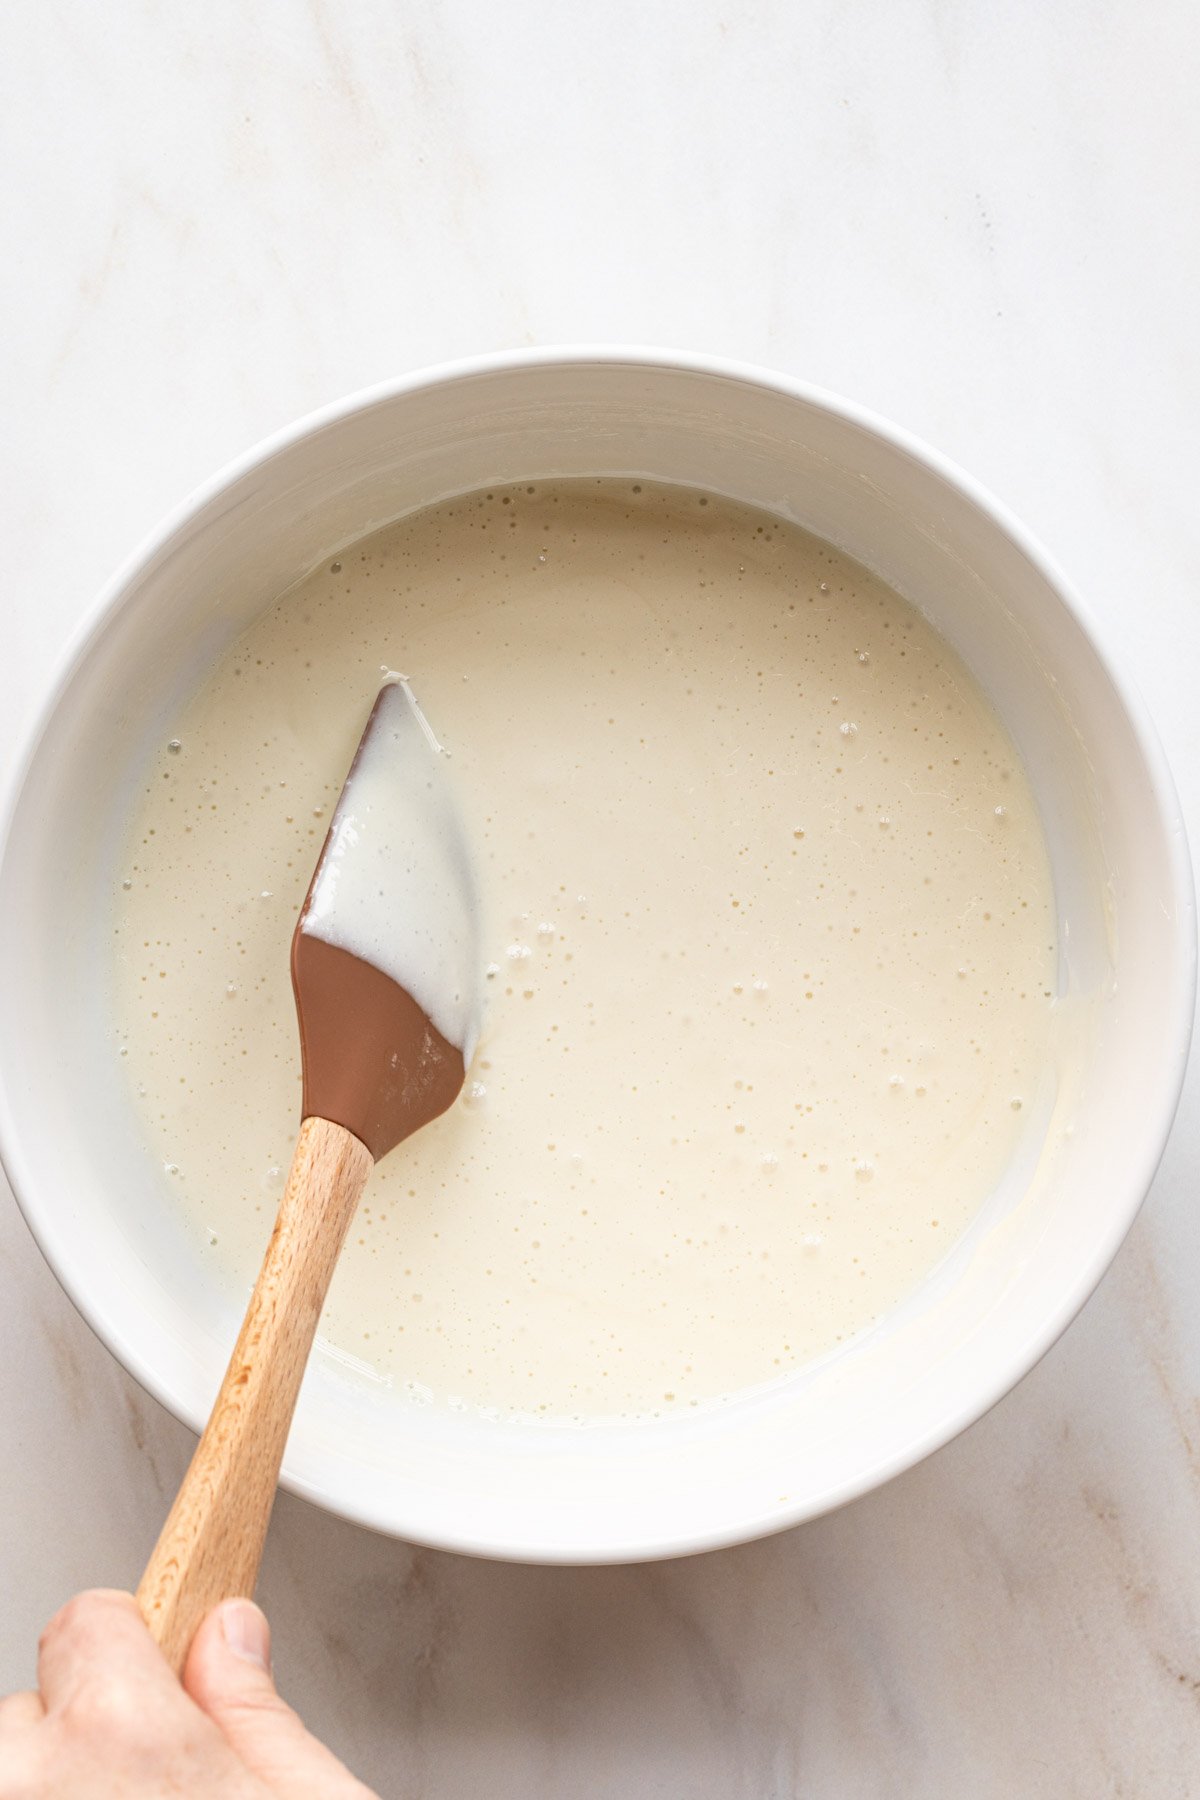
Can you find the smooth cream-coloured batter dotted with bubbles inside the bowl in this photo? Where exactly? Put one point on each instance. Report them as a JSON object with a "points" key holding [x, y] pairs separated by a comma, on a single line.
{"points": [[769, 946]]}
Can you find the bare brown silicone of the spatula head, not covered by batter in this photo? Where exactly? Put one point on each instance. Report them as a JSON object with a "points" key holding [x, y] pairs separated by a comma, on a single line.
{"points": [[373, 1061]]}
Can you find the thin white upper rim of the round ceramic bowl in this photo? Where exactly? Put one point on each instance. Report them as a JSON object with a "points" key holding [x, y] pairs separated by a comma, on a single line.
{"points": [[1154, 1126]]}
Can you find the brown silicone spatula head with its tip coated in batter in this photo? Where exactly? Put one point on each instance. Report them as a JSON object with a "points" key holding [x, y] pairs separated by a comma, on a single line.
{"points": [[386, 958]]}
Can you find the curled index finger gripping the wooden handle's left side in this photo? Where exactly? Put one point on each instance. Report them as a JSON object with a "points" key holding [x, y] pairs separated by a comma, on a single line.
{"points": [[94, 1637]]}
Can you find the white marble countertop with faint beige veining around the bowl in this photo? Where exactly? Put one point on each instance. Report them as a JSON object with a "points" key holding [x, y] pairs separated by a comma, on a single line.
{"points": [[974, 219]]}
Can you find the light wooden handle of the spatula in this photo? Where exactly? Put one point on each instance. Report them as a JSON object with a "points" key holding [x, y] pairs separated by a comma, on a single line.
{"points": [[213, 1540]]}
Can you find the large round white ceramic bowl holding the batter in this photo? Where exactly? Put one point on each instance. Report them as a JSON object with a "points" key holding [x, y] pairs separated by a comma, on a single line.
{"points": [[100, 1207]]}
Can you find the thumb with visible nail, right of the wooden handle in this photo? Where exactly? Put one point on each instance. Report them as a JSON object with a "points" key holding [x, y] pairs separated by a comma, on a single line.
{"points": [[229, 1677]]}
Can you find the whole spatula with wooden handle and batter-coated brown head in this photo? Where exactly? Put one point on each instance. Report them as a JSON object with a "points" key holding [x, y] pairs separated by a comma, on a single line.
{"points": [[384, 966]]}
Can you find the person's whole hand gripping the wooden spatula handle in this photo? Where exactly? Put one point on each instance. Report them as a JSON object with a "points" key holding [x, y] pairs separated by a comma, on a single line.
{"points": [[112, 1723]]}
